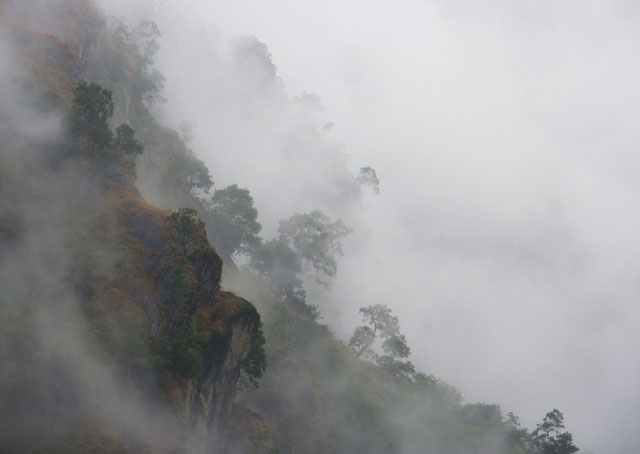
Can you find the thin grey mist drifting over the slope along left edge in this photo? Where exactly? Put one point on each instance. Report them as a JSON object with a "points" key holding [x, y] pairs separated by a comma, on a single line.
{"points": [[54, 378]]}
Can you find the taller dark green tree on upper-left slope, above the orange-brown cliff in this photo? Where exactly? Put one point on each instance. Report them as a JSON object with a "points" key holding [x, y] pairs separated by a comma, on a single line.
{"points": [[92, 107]]}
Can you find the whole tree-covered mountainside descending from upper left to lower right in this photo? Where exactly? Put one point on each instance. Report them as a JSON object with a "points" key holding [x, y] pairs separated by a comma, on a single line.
{"points": [[144, 309]]}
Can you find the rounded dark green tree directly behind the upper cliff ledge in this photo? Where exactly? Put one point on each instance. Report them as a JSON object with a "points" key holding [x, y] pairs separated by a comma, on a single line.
{"points": [[232, 221]]}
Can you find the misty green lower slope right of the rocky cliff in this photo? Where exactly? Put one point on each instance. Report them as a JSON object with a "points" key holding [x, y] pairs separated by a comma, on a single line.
{"points": [[317, 398]]}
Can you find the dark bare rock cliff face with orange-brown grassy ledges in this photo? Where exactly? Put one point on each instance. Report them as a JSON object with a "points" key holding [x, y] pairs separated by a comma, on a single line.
{"points": [[230, 323]]}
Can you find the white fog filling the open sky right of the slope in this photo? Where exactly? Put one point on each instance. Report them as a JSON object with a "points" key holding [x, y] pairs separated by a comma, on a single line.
{"points": [[505, 136]]}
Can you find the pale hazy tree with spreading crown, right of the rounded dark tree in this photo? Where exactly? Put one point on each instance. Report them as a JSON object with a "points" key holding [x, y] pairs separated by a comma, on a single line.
{"points": [[315, 239]]}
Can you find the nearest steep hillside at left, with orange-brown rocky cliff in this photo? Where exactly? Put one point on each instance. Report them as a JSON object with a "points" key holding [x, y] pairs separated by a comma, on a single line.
{"points": [[115, 335]]}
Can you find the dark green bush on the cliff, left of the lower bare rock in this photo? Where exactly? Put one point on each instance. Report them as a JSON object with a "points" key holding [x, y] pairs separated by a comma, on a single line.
{"points": [[180, 354]]}
